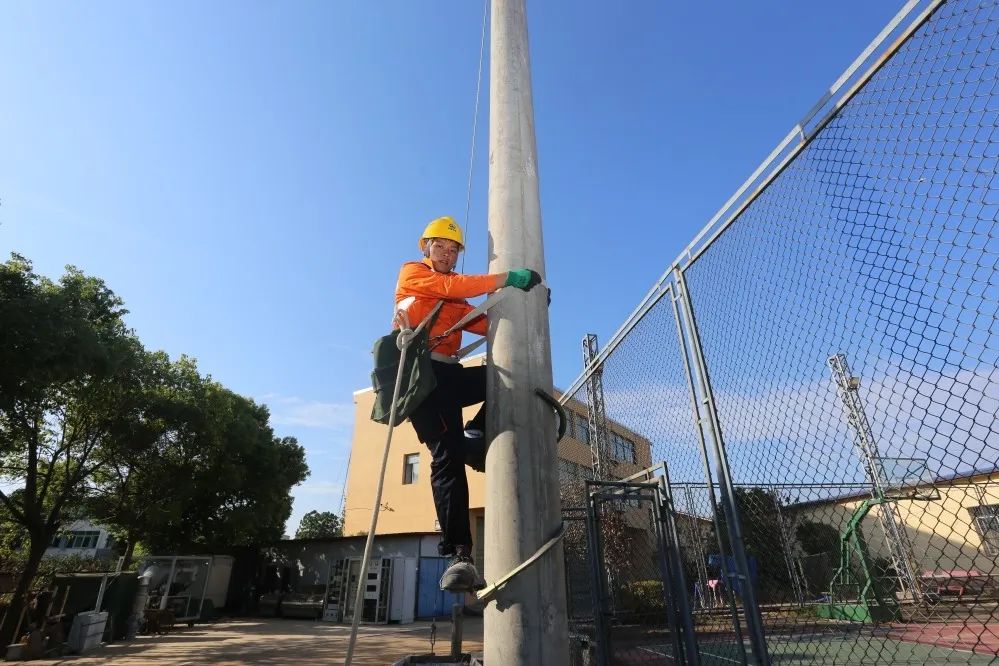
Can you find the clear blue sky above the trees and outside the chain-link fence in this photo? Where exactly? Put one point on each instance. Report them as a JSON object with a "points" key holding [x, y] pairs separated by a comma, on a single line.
{"points": [[248, 176]]}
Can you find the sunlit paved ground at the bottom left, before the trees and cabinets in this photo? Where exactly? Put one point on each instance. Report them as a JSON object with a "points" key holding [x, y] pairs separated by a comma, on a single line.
{"points": [[277, 641]]}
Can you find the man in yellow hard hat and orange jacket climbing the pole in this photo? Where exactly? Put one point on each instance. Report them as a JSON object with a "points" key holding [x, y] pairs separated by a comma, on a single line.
{"points": [[438, 419]]}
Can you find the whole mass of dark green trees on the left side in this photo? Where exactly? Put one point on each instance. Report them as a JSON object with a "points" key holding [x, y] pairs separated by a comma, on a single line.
{"points": [[92, 422]]}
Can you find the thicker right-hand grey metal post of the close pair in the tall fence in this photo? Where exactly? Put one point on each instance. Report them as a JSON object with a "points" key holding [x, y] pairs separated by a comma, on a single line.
{"points": [[754, 622]]}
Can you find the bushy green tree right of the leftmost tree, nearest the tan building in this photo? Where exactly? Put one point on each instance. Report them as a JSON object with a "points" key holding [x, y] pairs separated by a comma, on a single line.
{"points": [[217, 477]]}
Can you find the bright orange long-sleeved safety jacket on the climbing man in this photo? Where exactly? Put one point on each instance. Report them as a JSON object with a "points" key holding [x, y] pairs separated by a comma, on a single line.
{"points": [[420, 287]]}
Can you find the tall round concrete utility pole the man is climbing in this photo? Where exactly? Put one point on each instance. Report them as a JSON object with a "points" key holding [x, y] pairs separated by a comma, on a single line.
{"points": [[526, 624]]}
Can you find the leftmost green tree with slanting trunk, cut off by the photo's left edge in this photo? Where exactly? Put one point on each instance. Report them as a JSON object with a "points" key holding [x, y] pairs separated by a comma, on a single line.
{"points": [[68, 386]]}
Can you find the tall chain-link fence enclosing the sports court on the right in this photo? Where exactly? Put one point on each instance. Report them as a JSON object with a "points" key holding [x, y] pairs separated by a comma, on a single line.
{"points": [[817, 379]]}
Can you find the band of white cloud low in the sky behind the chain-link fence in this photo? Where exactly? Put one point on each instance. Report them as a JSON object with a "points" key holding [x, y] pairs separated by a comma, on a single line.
{"points": [[797, 432]]}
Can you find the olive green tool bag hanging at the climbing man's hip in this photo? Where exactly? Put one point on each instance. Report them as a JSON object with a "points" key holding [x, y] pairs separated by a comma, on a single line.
{"points": [[417, 380]]}
